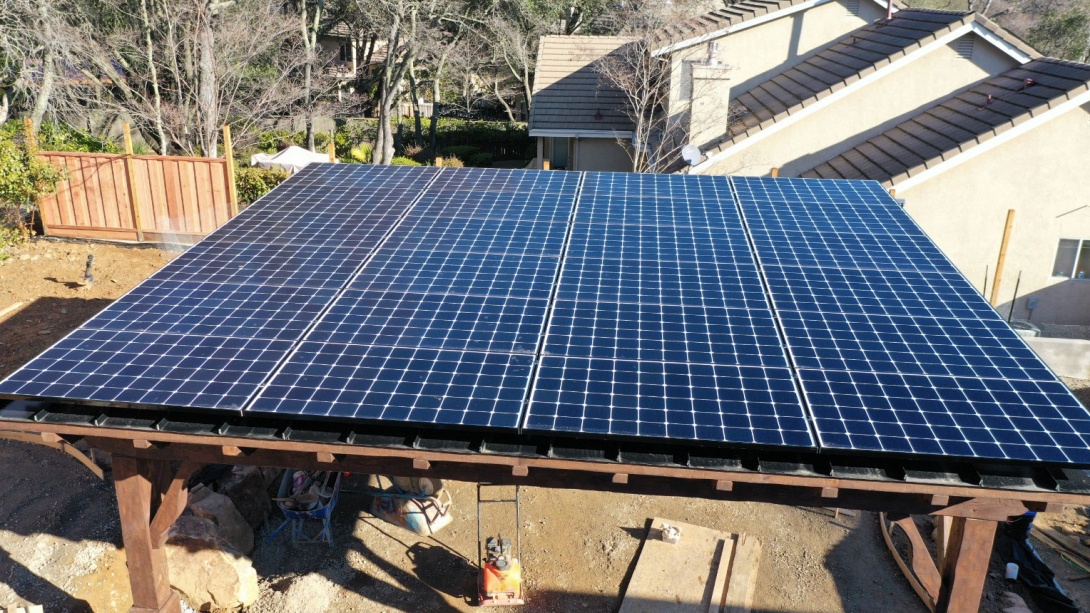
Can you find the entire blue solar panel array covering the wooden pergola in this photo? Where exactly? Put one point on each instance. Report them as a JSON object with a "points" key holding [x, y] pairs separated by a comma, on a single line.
{"points": [[734, 311]]}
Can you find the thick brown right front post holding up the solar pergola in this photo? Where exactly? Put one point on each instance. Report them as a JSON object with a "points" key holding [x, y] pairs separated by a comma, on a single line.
{"points": [[965, 566]]}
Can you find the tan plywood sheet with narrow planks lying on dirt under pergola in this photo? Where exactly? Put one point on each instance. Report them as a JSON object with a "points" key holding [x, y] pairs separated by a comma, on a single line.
{"points": [[694, 575]]}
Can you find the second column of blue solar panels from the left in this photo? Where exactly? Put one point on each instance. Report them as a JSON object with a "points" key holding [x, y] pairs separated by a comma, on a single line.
{"points": [[443, 324]]}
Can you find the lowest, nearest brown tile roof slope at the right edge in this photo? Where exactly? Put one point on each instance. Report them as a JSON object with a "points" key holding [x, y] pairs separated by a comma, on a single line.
{"points": [[961, 123]]}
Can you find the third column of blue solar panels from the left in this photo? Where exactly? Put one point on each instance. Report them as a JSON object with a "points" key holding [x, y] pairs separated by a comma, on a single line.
{"points": [[660, 328]]}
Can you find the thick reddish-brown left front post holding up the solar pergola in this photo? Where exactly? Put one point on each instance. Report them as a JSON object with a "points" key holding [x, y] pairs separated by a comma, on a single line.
{"points": [[148, 561]]}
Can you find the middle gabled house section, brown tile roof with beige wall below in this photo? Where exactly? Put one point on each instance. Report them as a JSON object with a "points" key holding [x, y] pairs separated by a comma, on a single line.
{"points": [[856, 88]]}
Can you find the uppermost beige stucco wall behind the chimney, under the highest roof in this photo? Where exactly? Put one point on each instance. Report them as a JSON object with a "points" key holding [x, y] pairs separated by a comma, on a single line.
{"points": [[761, 52]]}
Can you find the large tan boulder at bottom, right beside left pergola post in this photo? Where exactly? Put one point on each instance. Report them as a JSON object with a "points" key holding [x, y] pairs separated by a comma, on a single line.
{"points": [[205, 569]]}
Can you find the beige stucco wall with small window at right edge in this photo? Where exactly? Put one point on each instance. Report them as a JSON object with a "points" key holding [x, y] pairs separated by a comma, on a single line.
{"points": [[1043, 175]]}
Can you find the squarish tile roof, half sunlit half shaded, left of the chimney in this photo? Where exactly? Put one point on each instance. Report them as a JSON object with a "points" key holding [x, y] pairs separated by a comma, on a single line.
{"points": [[570, 94]]}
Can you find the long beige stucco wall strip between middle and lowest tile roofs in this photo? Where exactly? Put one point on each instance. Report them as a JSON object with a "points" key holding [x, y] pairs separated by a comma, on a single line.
{"points": [[864, 114]]}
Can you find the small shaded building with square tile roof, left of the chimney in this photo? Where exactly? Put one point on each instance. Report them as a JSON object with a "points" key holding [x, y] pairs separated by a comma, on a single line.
{"points": [[578, 119]]}
